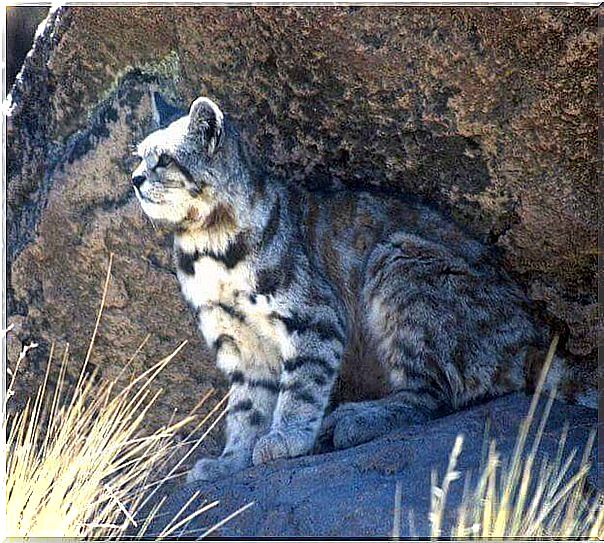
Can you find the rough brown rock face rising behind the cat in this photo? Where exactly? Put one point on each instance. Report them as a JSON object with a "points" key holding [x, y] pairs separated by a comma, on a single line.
{"points": [[487, 113]]}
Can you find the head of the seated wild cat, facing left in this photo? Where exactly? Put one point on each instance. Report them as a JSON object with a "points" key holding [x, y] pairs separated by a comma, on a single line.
{"points": [[183, 173]]}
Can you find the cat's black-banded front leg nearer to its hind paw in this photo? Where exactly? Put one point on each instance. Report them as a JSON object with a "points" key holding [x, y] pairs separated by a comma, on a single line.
{"points": [[306, 383]]}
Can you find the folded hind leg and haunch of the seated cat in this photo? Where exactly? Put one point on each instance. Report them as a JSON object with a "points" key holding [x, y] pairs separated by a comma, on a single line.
{"points": [[443, 330]]}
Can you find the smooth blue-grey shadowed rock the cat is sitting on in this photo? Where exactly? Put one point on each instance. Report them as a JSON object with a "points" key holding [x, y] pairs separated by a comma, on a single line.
{"points": [[350, 493]]}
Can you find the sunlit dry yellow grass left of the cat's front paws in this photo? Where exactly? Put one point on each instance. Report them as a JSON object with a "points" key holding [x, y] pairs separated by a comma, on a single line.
{"points": [[78, 464]]}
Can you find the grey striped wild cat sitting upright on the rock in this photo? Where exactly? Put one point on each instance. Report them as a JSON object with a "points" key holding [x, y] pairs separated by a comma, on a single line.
{"points": [[286, 284]]}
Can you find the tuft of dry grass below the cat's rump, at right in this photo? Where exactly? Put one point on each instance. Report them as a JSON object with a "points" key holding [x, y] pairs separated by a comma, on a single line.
{"points": [[523, 497]]}
